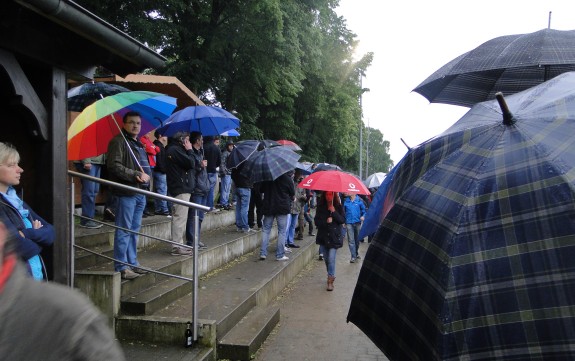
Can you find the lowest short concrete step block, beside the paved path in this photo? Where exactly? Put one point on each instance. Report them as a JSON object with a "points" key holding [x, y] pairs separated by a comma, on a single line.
{"points": [[246, 337]]}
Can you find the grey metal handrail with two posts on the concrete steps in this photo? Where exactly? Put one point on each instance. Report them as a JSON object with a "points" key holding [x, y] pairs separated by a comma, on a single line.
{"points": [[195, 206]]}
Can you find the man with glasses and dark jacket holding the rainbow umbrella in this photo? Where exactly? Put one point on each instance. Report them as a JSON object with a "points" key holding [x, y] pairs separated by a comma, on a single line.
{"points": [[126, 167]]}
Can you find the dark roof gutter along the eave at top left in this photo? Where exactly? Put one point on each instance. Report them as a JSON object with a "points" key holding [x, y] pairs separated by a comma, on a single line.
{"points": [[84, 23]]}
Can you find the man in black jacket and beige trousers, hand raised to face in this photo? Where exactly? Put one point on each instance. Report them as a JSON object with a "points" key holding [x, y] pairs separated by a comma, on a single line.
{"points": [[180, 167]]}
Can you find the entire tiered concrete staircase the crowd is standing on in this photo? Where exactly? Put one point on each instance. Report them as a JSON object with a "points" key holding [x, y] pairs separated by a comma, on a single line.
{"points": [[150, 313]]}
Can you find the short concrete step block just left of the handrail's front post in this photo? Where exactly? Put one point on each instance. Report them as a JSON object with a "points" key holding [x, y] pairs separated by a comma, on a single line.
{"points": [[156, 297]]}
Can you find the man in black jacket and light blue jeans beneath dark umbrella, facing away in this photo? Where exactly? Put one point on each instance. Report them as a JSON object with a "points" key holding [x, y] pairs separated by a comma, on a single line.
{"points": [[276, 203]]}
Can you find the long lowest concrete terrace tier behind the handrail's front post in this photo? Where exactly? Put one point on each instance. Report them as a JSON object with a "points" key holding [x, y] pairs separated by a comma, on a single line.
{"points": [[226, 295]]}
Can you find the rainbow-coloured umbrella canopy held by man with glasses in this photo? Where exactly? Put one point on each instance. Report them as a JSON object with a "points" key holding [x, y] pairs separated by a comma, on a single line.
{"points": [[91, 131]]}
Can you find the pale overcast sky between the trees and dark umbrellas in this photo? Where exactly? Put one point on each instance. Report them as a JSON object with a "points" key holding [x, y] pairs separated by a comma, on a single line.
{"points": [[412, 39]]}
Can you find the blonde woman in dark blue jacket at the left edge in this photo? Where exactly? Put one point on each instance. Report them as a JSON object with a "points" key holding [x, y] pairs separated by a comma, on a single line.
{"points": [[32, 231]]}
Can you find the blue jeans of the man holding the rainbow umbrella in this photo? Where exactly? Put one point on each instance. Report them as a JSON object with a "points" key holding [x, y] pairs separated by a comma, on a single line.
{"points": [[128, 215]]}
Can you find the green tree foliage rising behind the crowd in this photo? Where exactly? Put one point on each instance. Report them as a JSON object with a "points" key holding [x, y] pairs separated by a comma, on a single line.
{"points": [[285, 67]]}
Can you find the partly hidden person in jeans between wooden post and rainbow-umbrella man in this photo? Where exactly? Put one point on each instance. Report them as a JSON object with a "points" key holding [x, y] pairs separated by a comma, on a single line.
{"points": [[92, 167]]}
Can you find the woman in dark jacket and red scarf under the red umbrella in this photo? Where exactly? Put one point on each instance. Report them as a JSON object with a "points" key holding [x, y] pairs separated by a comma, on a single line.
{"points": [[329, 220]]}
